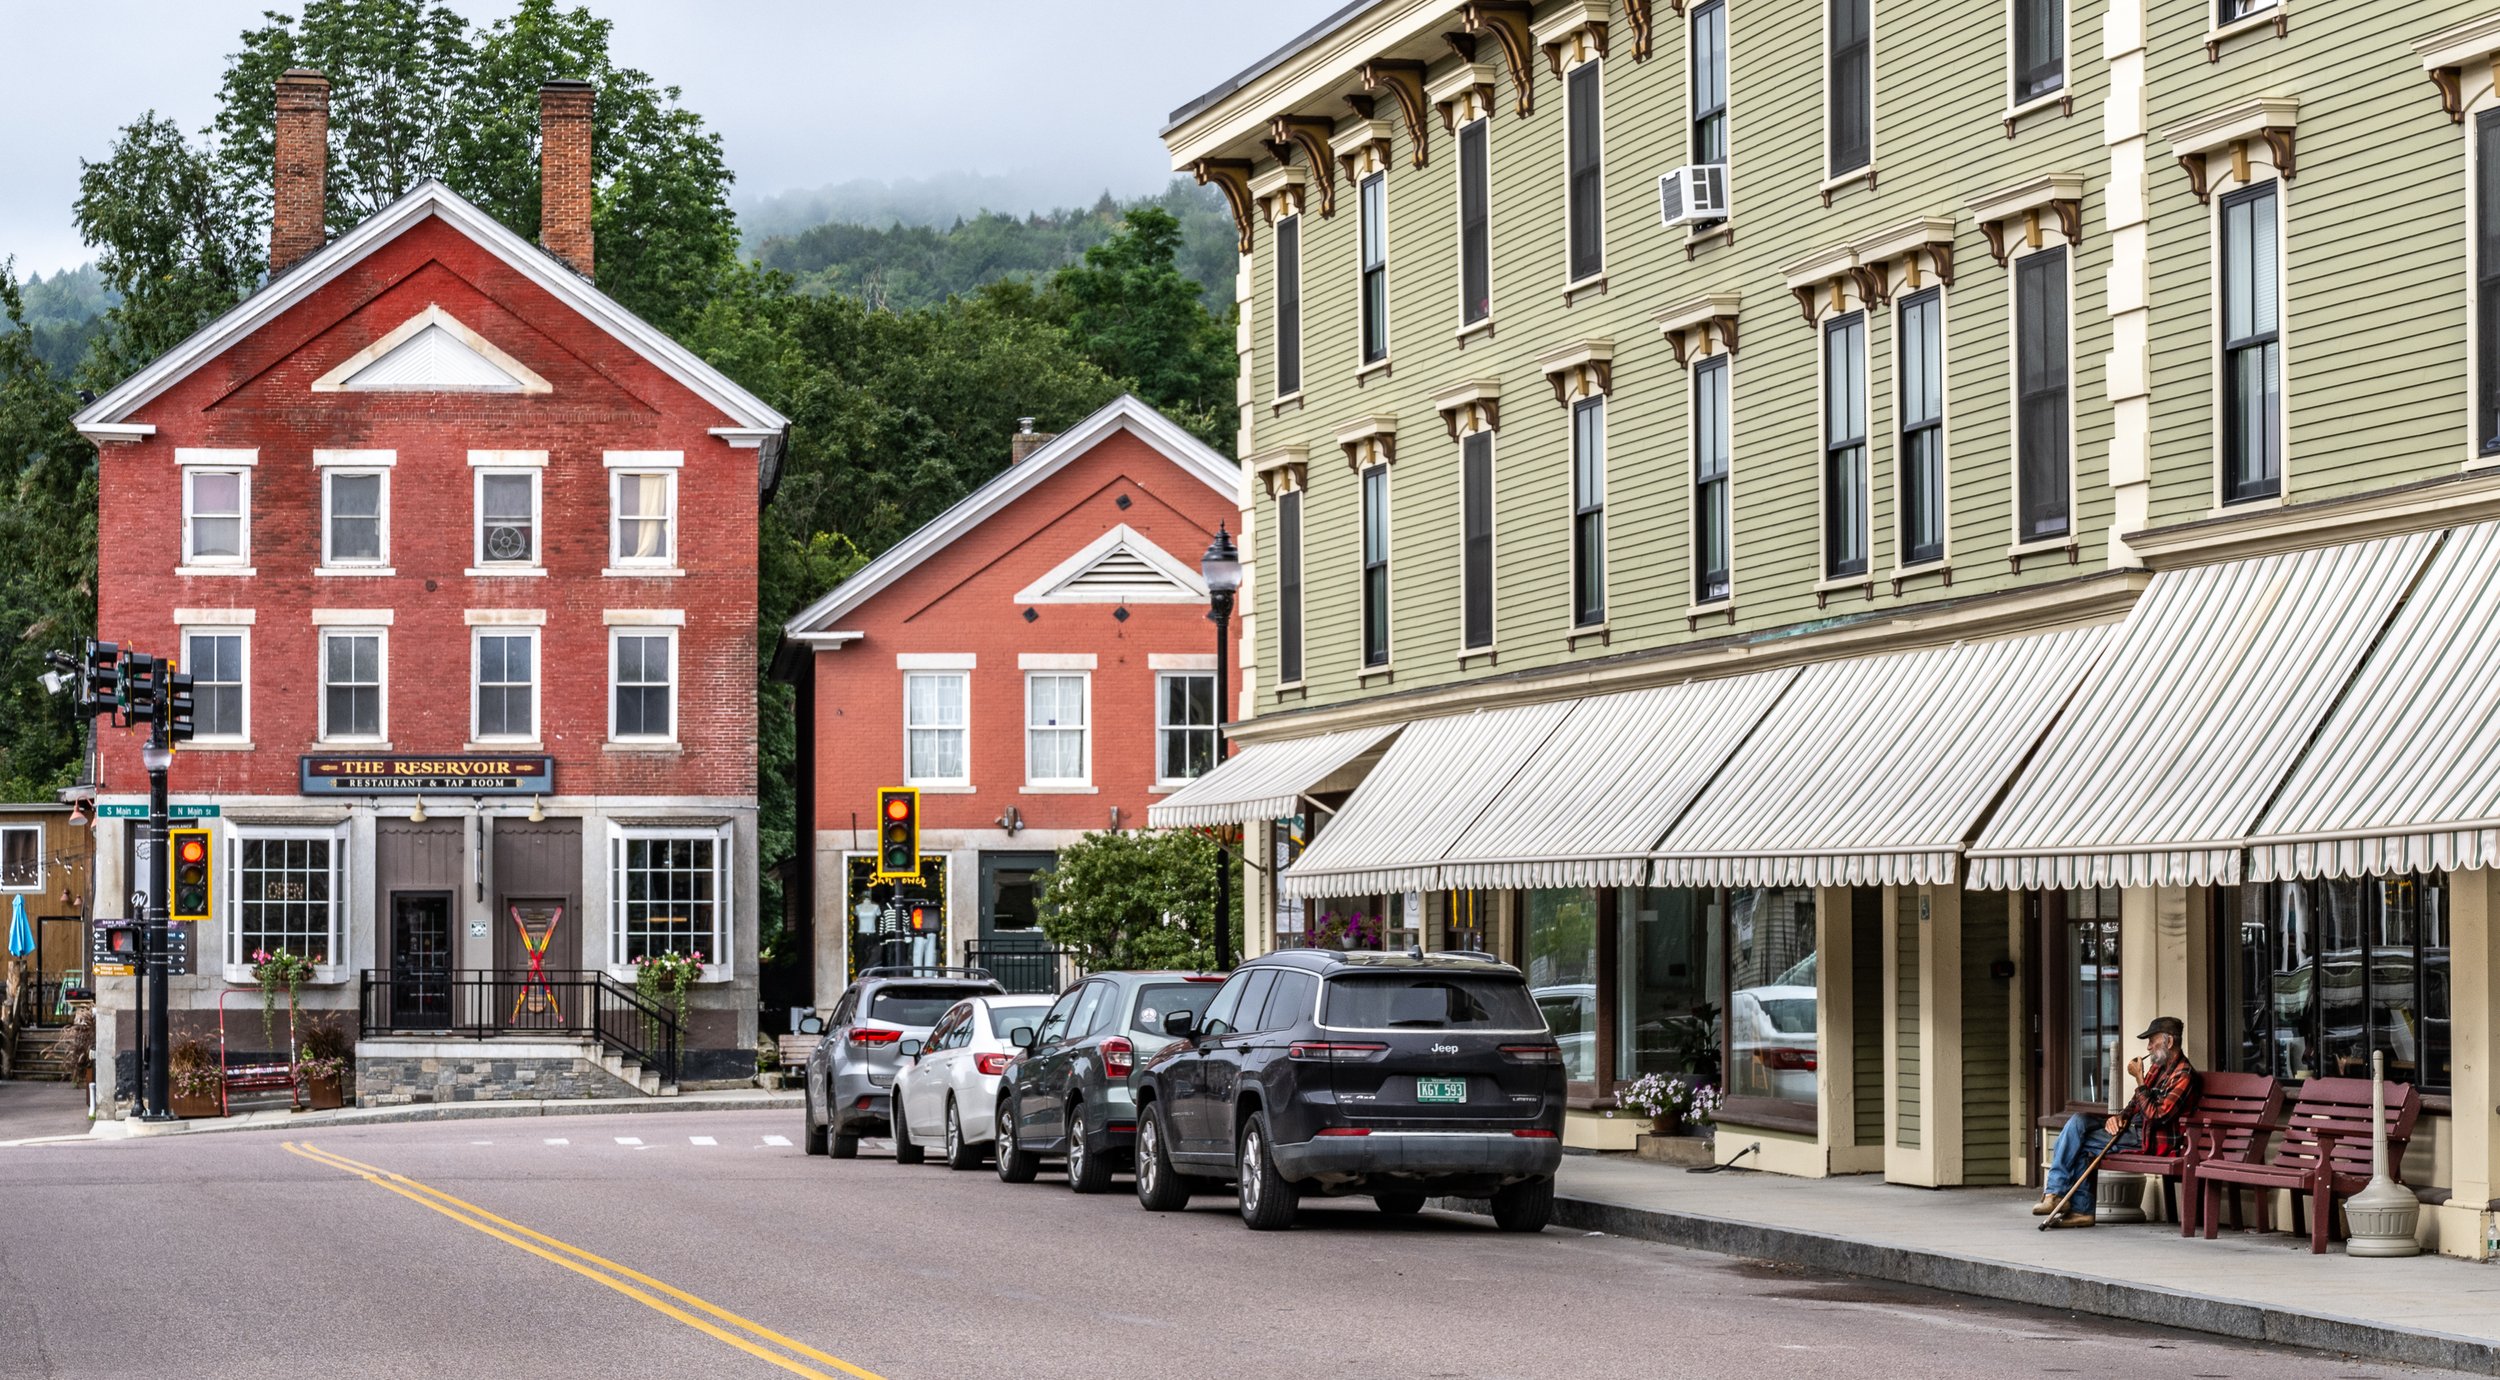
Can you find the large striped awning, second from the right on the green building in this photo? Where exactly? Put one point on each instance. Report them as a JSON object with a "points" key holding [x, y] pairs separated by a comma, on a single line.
{"points": [[2191, 724]]}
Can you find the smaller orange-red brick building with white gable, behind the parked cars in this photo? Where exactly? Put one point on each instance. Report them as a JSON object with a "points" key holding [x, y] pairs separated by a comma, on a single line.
{"points": [[1036, 661]]}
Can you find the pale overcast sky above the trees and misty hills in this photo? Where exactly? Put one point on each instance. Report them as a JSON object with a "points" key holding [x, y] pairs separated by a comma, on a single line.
{"points": [[804, 94]]}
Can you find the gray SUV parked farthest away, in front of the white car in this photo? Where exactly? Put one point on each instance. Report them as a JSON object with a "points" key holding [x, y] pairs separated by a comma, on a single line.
{"points": [[851, 1074]]}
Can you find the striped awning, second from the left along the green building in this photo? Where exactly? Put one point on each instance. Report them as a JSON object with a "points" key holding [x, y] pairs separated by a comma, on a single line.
{"points": [[1419, 801]]}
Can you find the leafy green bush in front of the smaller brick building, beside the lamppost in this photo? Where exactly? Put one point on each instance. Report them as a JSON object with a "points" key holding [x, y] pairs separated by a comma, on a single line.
{"points": [[1136, 899]]}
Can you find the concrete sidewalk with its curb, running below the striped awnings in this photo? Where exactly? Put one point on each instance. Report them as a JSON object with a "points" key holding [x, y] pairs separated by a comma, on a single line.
{"points": [[1981, 1241]]}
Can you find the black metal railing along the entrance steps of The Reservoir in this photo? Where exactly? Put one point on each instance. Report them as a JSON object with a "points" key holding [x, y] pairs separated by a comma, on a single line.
{"points": [[486, 1004]]}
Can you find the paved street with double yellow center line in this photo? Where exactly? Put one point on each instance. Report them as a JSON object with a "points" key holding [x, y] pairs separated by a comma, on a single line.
{"points": [[711, 1246]]}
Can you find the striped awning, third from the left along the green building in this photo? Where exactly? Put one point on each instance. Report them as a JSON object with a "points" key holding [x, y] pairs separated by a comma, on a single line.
{"points": [[1594, 799]]}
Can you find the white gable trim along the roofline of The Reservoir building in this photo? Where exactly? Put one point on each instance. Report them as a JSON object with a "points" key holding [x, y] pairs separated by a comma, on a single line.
{"points": [[106, 416]]}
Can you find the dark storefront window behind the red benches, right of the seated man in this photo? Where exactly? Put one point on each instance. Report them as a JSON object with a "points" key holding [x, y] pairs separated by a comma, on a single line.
{"points": [[2324, 974]]}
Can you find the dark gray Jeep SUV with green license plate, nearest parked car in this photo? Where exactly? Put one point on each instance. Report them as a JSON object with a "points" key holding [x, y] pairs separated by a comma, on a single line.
{"points": [[1384, 1074]]}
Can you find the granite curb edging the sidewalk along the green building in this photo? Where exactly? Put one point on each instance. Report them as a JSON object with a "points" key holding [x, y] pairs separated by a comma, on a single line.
{"points": [[2026, 1284]]}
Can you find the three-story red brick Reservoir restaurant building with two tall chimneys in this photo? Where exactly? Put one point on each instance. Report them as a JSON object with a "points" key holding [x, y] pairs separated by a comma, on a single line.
{"points": [[461, 559]]}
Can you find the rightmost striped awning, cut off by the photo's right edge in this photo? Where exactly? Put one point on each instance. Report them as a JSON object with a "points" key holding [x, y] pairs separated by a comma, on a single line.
{"points": [[2406, 771]]}
